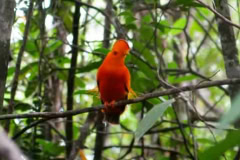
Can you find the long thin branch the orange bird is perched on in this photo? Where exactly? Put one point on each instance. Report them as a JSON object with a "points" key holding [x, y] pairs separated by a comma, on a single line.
{"points": [[130, 101]]}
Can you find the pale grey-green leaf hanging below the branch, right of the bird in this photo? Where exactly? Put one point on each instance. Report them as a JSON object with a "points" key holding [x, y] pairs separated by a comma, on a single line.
{"points": [[152, 116]]}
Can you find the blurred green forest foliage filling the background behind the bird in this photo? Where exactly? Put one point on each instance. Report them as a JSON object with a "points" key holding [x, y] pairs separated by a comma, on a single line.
{"points": [[176, 42]]}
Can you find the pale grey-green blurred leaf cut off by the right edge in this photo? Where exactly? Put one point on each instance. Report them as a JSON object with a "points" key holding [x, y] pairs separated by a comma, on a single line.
{"points": [[233, 114]]}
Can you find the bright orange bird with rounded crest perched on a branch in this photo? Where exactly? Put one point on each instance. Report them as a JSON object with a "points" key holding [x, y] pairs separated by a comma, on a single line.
{"points": [[113, 79]]}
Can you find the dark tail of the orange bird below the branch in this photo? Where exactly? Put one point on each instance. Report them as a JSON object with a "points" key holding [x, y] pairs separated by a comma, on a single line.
{"points": [[113, 116]]}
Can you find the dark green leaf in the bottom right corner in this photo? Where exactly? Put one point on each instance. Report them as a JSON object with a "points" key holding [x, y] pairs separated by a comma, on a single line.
{"points": [[216, 151]]}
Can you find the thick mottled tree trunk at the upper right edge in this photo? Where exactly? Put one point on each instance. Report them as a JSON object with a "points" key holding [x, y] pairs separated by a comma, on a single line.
{"points": [[229, 48]]}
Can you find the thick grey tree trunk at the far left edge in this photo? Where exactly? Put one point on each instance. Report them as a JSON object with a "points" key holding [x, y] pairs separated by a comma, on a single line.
{"points": [[6, 20]]}
